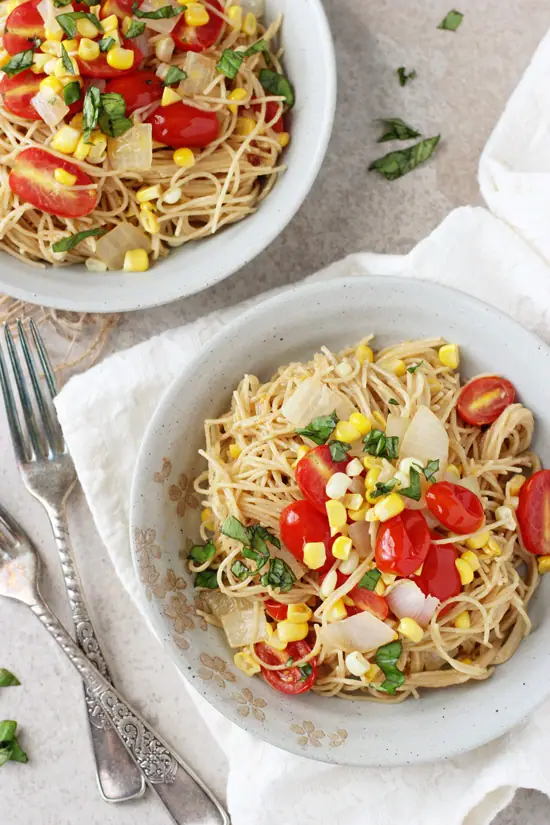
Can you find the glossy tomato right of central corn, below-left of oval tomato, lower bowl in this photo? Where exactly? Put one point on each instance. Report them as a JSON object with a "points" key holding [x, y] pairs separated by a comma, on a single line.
{"points": [[402, 543]]}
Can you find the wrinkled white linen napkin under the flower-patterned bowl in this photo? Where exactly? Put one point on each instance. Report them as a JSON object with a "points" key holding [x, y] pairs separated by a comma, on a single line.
{"points": [[105, 411]]}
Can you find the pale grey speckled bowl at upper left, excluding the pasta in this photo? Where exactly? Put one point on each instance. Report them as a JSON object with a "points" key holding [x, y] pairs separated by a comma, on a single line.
{"points": [[310, 64]]}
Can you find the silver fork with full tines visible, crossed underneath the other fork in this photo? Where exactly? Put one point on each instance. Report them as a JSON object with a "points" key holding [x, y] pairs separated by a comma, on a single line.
{"points": [[49, 474]]}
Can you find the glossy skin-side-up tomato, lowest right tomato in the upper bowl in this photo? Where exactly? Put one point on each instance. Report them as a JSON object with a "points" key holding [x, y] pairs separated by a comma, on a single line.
{"points": [[180, 125]]}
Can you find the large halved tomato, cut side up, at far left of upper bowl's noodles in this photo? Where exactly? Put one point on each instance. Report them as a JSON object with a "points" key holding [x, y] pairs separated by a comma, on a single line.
{"points": [[32, 179]]}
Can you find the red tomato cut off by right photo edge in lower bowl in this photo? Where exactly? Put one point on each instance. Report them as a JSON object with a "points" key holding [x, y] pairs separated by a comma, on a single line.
{"points": [[534, 513]]}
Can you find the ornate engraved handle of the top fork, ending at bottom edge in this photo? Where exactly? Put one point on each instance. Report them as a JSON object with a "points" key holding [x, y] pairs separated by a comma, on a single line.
{"points": [[182, 792]]}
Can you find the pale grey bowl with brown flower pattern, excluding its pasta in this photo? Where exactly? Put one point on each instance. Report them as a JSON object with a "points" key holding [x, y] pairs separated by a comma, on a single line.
{"points": [[293, 326]]}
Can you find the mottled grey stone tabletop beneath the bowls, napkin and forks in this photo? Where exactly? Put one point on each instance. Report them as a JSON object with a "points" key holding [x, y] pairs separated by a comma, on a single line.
{"points": [[463, 82]]}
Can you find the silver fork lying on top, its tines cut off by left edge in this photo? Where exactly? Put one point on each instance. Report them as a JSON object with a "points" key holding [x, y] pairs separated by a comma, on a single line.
{"points": [[185, 796]]}
